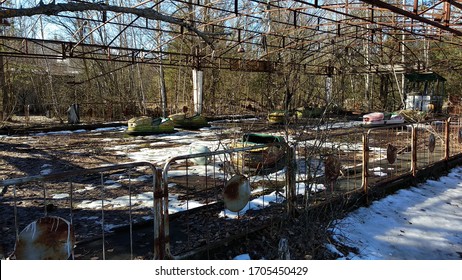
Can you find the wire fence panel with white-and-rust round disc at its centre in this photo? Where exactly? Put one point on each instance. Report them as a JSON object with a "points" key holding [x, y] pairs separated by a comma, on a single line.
{"points": [[217, 197]]}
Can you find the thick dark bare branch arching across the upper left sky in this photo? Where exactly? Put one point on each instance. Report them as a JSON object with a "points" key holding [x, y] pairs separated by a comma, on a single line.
{"points": [[55, 9]]}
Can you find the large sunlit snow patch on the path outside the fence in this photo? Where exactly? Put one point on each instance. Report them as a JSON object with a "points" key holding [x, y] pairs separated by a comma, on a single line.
{"points": [[419, 223]]}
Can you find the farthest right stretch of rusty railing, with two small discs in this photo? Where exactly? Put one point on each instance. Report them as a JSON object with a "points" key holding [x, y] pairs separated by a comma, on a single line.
{"points": [[392, 152]]}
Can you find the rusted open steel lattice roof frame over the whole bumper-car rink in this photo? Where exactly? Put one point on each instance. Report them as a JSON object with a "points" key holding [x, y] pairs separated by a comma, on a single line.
{"points": [[247, 35]]}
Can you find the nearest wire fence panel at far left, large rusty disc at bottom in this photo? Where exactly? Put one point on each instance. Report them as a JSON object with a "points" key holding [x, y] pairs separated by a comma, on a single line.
{"points": [[96, 203]]}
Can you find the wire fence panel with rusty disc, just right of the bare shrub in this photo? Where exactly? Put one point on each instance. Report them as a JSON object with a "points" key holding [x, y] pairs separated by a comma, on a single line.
{"points": [[328, 164]]}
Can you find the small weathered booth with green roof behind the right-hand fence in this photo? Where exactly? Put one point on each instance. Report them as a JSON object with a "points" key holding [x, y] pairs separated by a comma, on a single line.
{"points": [[424, 91]]}
